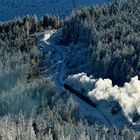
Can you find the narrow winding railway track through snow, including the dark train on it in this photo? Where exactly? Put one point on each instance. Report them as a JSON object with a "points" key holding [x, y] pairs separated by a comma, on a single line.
{"points": [[60, 81]]}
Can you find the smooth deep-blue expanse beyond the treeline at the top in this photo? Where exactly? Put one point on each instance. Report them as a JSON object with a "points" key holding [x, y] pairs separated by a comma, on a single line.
{"points": [[10, 9]]}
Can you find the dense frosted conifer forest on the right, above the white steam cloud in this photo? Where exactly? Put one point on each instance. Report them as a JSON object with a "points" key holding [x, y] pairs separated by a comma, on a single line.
{"points": [[112, 35]]}
